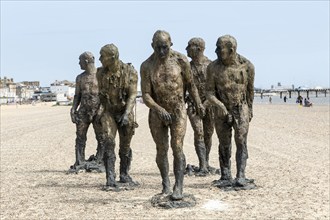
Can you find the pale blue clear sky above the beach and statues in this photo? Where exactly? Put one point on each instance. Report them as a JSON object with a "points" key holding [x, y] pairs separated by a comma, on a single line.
{"points": [[287, 41]]}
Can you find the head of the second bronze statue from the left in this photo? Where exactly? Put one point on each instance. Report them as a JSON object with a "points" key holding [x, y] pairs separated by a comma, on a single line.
{"points": [[109, 55]]}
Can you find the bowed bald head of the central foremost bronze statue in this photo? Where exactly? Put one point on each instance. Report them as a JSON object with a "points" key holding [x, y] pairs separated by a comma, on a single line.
{"points": [[161, 43]]}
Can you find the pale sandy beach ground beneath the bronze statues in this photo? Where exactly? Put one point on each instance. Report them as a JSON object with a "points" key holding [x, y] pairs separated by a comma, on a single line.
{"points": [[288, 158]]}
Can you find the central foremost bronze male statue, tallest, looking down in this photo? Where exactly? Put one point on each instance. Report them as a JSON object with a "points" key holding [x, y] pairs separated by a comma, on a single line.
{"points": [[165, 76]]}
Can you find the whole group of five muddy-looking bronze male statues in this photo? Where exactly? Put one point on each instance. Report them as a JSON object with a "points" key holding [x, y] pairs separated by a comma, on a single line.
{"points": [[216, 94]]}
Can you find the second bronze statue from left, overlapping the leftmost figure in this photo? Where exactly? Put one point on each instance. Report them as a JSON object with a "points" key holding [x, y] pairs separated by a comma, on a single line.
{"points": [[118, 90]]}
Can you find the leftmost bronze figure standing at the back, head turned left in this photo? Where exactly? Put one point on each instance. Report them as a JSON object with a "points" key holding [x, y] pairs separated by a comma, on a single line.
{"points": [[87, 99]]}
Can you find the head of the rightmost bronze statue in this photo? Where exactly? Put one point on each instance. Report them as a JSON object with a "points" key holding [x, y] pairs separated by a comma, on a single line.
{"points": [[226, 49]]}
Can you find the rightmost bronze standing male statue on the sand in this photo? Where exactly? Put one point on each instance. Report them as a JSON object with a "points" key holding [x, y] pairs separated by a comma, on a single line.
{"points": [[230, 88]]}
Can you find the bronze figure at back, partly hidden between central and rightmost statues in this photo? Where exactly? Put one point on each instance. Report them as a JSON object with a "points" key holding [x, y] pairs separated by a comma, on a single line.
{"points": [[203, 127]]}
